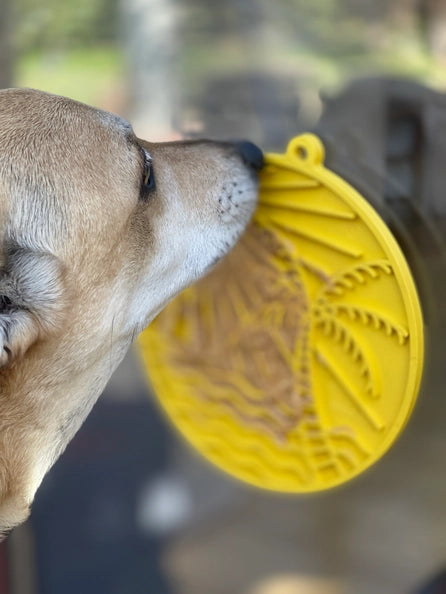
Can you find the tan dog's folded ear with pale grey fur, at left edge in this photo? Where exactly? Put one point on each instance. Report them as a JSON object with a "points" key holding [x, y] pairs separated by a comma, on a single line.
{"points": [[32, 301]]}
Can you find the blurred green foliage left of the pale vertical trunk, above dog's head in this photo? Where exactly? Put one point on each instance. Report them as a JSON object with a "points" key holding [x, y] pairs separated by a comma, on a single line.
{"points": [[68, 47]]}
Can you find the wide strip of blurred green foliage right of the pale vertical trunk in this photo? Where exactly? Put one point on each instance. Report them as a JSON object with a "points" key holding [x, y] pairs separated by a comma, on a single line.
{"points": [[323, 42]]}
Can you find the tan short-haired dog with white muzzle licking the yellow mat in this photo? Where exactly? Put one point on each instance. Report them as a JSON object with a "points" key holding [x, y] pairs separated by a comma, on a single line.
{"points": [[99, 231]]}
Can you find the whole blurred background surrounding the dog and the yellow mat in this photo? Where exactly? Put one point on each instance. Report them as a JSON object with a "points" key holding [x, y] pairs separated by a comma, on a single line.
{"points": [[129, 509]]}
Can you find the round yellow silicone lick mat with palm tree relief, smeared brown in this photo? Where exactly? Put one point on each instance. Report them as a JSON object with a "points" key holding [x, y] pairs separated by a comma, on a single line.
{"points": [[296, 363]]}
